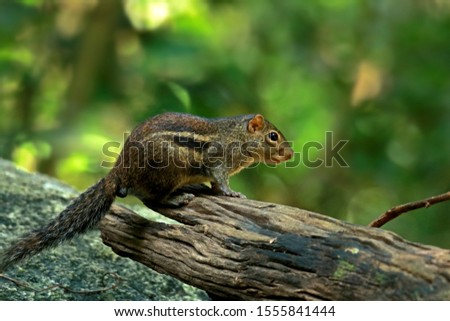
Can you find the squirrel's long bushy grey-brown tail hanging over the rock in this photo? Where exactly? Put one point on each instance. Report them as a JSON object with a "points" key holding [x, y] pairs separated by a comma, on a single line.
{"points": [[79, 217]]}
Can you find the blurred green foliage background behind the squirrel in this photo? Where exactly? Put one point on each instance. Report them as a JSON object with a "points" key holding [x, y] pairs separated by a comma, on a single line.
{"points": [[75, 74]]}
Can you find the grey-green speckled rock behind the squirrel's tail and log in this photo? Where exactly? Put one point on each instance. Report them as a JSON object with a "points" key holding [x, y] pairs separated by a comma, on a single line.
{"points": [[79, 270]]}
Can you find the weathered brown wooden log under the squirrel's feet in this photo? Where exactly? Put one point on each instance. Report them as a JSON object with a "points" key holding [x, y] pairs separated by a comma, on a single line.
{"points": [[248, 250]]}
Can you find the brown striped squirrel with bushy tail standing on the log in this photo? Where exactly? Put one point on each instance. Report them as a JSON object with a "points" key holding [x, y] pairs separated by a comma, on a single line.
{"points": [[159, 156]]}
